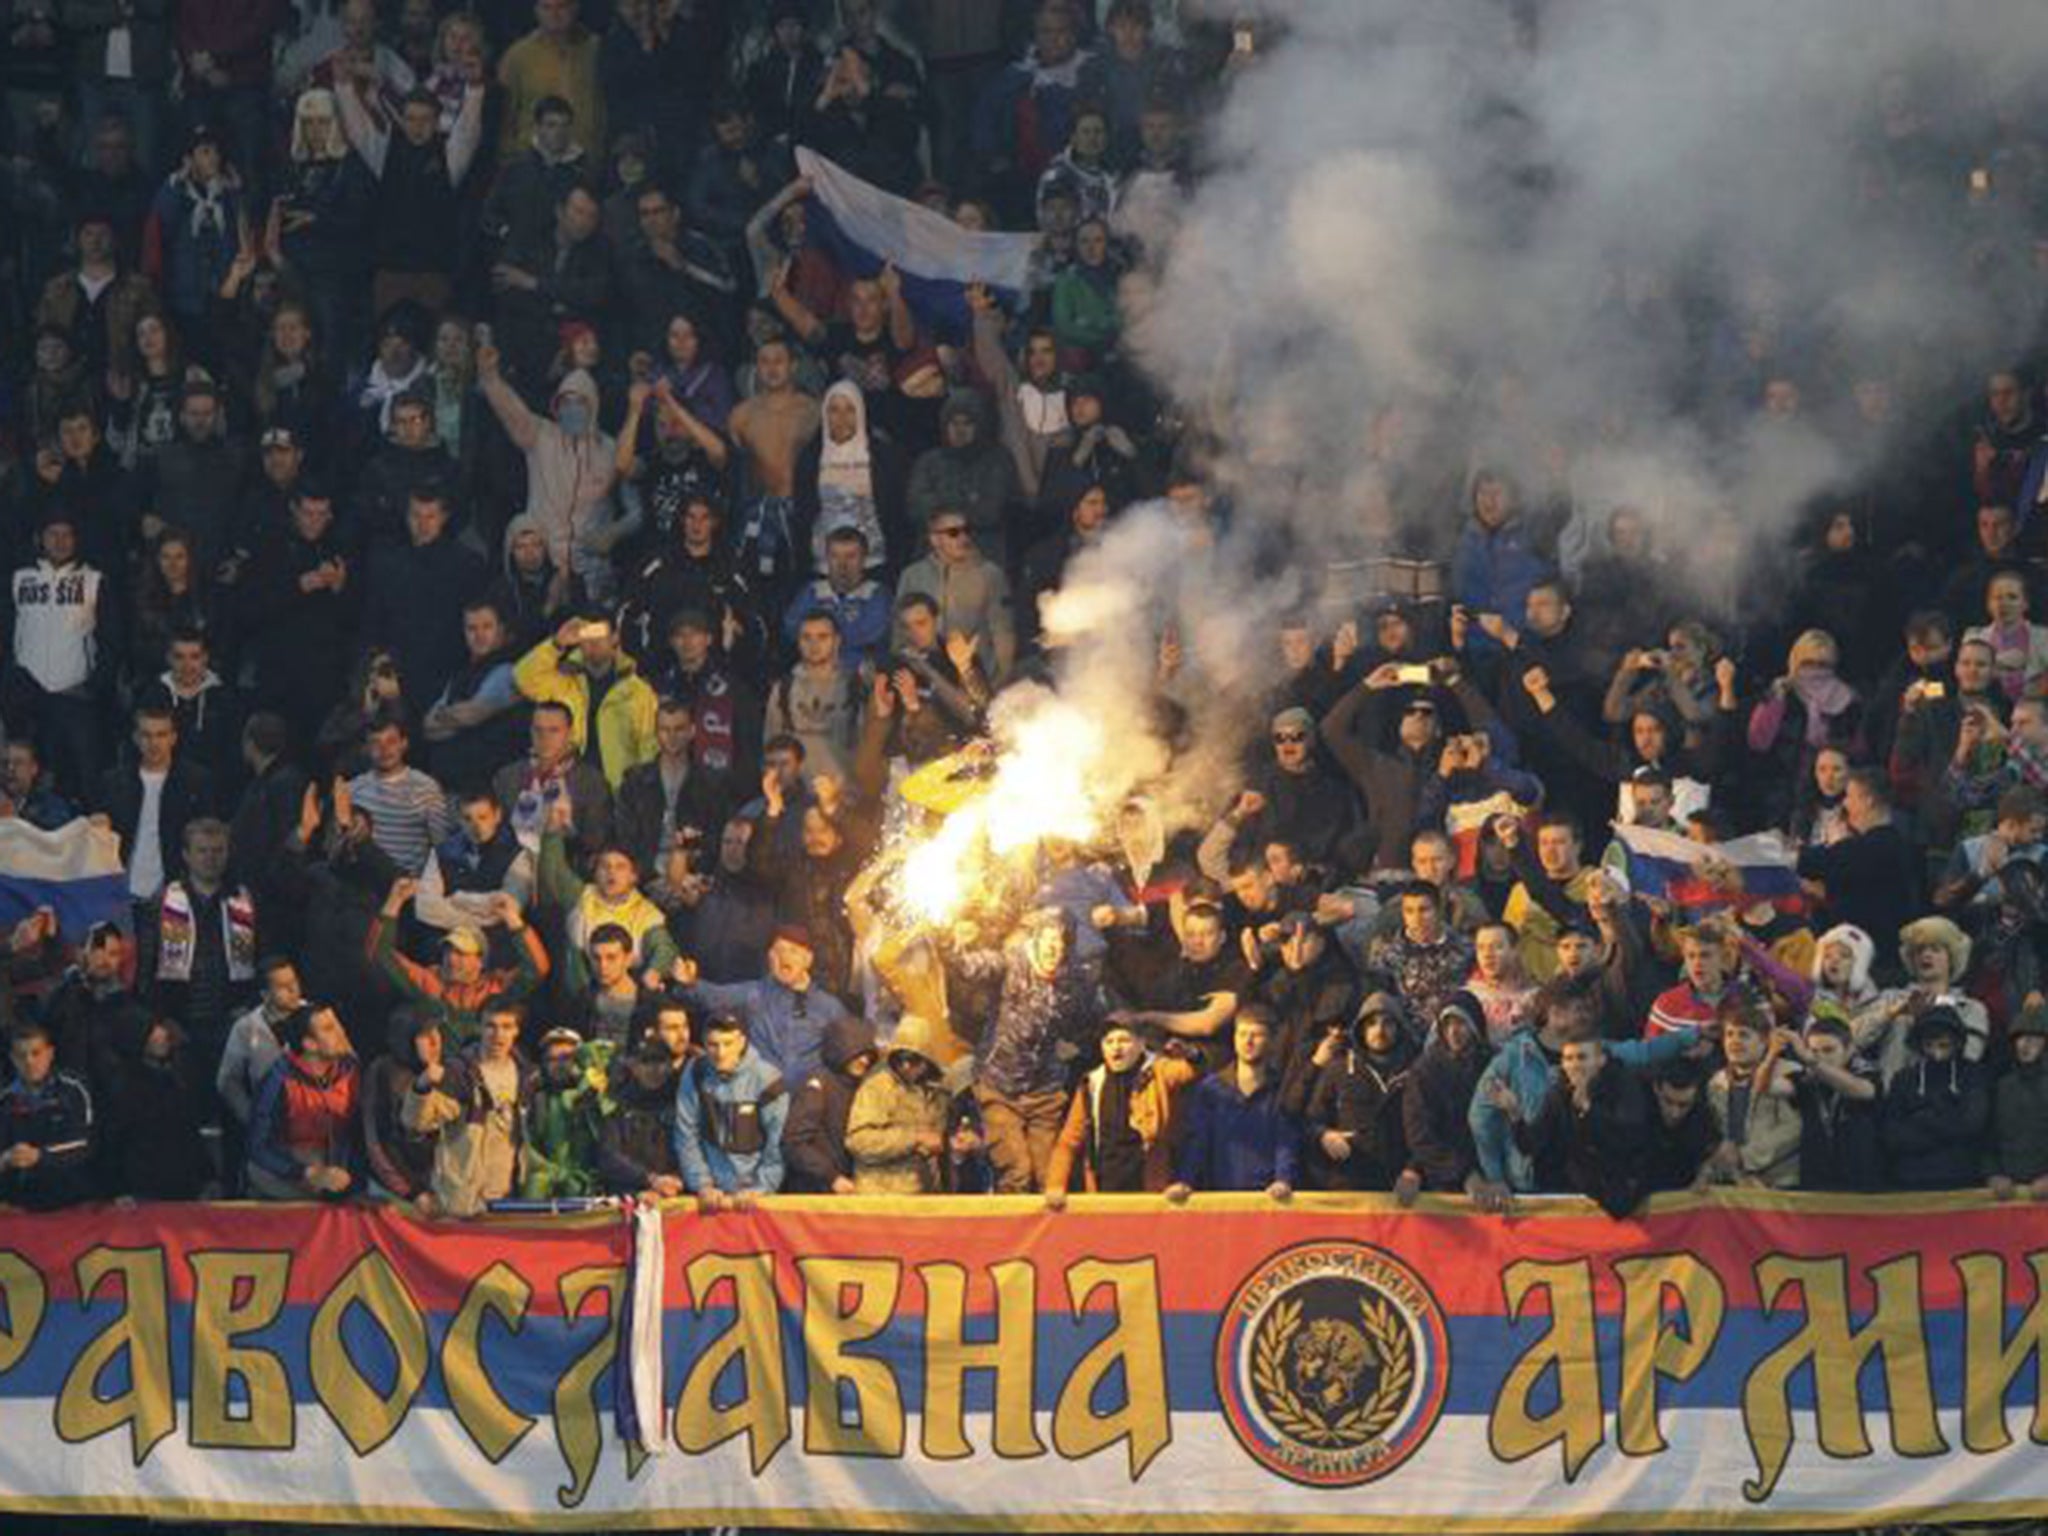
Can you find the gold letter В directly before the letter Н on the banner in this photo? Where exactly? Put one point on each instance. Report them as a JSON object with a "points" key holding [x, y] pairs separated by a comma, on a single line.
{"points": [[830, 1326]]}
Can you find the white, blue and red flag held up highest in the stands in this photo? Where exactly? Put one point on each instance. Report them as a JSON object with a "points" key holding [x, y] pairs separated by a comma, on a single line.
{"points": [[863, 228]]}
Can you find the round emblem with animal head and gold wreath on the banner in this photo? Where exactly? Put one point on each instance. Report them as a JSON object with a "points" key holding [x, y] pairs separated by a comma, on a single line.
{"points": [[1332, 1365]]}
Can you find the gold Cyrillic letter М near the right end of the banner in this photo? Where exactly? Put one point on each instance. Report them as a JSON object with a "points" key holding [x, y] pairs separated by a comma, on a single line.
{"points": [[1836, 1353]]}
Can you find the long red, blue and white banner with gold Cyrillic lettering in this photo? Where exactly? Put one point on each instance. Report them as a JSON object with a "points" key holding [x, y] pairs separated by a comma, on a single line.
{"points": [[1125, 1365]]}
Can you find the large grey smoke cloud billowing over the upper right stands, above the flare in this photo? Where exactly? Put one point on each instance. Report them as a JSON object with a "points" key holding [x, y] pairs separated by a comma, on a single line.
{"points": [[1541, 245]]}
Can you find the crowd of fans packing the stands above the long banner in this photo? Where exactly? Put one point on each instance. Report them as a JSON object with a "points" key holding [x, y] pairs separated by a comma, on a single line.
{"points": [[501, 574]]}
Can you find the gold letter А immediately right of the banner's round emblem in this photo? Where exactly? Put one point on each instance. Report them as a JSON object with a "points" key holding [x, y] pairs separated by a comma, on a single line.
{"points": [[1568, 1349]]}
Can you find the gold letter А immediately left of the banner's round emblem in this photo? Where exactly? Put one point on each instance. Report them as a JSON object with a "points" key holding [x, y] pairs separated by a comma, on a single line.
{"points": [[1138, 1345]]}
